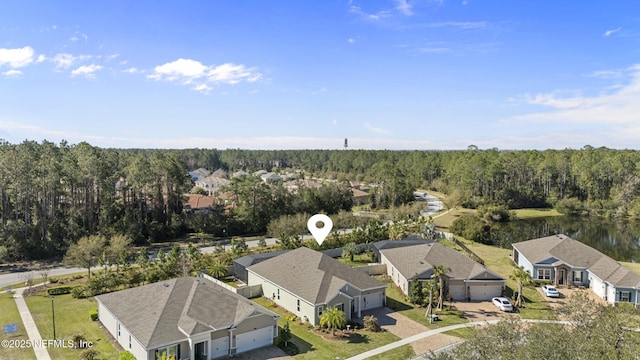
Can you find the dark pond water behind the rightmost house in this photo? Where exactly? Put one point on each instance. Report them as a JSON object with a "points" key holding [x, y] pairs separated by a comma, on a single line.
{"points": [[618, 239]]}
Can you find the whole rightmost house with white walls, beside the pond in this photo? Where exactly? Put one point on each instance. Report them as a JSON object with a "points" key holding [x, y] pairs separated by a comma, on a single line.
{"points": [[562, 260]]}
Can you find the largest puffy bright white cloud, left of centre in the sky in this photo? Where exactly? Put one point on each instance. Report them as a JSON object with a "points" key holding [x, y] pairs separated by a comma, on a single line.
{"points": [[188, 71]]}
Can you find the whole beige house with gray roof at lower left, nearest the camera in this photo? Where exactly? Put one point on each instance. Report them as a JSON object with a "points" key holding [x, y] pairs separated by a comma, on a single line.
{"points": [[188, 318]]}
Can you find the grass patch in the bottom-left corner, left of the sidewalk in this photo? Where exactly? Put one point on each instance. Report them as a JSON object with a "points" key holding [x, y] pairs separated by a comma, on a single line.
{"points": [[9, 315]]}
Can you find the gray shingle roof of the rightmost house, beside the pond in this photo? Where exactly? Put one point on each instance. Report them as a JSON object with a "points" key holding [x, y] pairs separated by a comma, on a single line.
{"points": [[578, 255]]}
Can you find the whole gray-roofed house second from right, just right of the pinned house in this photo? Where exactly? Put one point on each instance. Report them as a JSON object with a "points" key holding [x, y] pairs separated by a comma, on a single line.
{"points": [[465, 280]]}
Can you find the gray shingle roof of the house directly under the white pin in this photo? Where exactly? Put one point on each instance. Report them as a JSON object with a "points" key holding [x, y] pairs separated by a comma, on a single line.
{"points": [[312, 275]]}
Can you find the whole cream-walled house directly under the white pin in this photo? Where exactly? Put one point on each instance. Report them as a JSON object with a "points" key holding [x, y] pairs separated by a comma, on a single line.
{"points": [[306, 282]]}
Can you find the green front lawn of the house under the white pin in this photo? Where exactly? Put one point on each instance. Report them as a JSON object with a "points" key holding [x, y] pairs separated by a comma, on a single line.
{"points": [[313, 346]]}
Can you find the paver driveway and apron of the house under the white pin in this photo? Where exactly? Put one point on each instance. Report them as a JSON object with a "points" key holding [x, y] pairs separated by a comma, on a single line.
{"points": [[403, 327]]}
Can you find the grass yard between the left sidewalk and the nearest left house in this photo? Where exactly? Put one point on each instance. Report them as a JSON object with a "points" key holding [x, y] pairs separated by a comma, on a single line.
{"points": [[72, 317]]}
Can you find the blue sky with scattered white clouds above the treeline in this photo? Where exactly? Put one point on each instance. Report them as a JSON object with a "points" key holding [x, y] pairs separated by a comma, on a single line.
{"points": [[306, 74]]}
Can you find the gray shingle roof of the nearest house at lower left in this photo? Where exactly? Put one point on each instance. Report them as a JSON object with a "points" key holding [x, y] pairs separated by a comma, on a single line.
{"points": [[156, 313]]}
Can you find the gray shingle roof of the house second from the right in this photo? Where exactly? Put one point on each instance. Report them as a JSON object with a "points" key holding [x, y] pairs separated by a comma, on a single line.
{"points": [[419, 259]]}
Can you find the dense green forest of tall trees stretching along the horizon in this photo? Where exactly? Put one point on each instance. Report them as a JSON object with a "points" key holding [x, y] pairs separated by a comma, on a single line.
{"points": [[51, 195]]}
